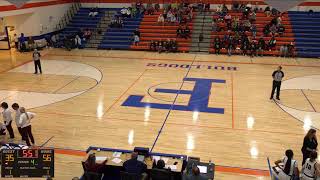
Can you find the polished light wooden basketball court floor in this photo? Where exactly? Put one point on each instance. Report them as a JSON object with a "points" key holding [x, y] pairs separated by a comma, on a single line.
{"points": [[239, 140]]}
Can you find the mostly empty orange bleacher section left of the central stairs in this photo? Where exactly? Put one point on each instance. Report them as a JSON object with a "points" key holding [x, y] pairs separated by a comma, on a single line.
{"points": [[151, 30]]}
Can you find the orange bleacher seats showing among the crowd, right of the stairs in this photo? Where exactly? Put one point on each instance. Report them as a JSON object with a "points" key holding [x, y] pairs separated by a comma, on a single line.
{"points": [[261, 21]]}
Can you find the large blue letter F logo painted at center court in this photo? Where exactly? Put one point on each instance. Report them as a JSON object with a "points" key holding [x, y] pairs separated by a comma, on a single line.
{"points": [[199, 98]]}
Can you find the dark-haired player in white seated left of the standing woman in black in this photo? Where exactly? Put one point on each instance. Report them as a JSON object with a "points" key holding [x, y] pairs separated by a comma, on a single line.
{"points": [[290, 169]]}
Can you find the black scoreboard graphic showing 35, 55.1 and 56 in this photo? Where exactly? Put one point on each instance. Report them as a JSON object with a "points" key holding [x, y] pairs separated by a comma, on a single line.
{"points": [[27, 163]]}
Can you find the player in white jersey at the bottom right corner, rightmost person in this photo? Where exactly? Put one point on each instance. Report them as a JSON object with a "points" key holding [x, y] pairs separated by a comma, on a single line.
{"points": [[310, 169]]}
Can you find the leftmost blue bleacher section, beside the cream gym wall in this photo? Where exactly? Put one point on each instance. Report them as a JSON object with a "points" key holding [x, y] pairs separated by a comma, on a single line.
{"points": [[81, 20]]}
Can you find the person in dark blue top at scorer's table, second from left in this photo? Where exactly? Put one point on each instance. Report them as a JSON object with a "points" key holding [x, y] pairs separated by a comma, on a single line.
{"points": [[133, 166]]}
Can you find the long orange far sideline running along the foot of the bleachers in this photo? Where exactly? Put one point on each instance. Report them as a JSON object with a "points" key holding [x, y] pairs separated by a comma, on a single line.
{"points": [[189, 60]]}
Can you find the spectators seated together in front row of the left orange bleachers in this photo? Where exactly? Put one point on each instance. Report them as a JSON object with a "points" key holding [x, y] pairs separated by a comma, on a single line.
{"points": [[164, 46]]}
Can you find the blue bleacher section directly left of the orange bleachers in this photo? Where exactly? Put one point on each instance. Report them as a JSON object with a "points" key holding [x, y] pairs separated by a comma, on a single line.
{"points": [[121, 38]]}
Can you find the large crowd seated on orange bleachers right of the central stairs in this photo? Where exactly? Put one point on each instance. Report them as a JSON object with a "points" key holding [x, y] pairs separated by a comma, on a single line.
{"points": [[240, 33]]}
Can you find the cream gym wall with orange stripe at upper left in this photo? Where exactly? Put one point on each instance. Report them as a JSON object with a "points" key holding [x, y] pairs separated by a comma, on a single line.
{"points": [[35, 18]]}
